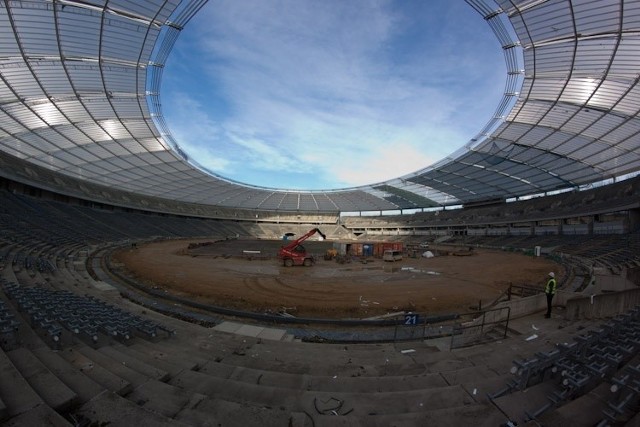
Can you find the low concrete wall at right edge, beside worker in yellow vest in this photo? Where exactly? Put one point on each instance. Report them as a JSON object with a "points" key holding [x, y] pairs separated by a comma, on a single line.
{"points": [[602, 305]]}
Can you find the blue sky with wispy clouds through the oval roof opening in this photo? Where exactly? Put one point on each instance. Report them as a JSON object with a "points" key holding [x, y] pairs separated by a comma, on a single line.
{"points": [[311, 95]]}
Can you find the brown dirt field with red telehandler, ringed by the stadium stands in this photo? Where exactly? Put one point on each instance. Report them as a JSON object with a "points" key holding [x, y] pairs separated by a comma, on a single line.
{"points": [[218, 274]]}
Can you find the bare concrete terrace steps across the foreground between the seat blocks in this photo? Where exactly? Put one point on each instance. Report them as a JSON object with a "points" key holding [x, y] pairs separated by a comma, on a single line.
{"points": [[209, 376]]}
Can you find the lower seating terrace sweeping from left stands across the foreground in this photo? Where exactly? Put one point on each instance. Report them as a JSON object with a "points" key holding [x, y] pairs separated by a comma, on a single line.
{"points": [[122, 363]]}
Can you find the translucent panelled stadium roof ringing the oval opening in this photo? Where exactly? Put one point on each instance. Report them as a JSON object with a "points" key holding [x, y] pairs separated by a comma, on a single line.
{"points": [[80, 108]]}
